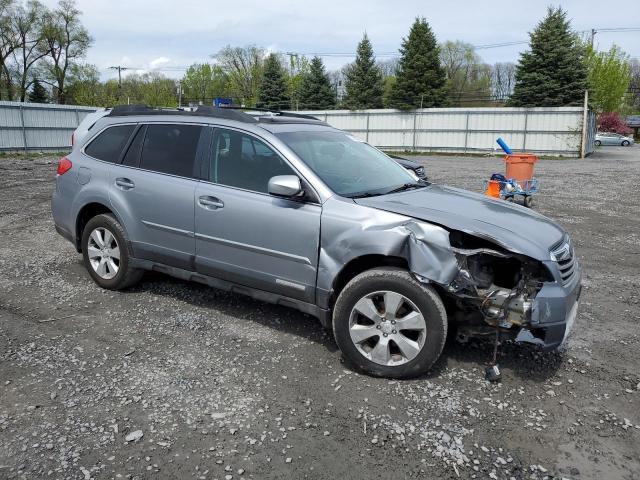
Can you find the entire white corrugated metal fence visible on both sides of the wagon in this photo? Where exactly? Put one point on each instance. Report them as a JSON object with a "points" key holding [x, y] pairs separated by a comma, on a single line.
{"points": [[543, 130]]}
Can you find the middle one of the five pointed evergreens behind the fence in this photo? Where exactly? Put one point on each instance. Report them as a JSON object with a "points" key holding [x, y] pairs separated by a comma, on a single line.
{"points": [[364, 85]]}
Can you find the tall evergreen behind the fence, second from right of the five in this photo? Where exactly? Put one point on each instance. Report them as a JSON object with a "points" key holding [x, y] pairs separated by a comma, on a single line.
{"points": [[420, 79]]}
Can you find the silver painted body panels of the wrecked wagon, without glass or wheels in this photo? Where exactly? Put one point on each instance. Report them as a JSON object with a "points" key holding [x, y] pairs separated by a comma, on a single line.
{"points": [[293, 249]]}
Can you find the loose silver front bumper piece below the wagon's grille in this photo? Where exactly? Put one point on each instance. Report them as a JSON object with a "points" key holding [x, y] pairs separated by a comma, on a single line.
{"points": [[554, 310]]}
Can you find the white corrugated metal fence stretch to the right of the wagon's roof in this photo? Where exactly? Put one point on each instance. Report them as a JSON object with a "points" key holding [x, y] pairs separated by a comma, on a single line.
{"points": [[543, 130]]}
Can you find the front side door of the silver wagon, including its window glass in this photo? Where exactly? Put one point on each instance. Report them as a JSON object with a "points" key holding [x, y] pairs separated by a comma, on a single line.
{"points": [[243, 234]]}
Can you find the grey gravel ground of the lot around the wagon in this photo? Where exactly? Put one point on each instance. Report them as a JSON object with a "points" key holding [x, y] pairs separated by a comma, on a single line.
{"points": [[176, 380]]}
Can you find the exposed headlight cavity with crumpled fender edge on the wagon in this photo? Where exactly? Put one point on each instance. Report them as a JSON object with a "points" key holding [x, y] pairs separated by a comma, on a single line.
{"points": [[492, 288]]}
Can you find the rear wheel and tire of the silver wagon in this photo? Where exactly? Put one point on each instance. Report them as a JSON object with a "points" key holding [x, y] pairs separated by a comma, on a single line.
{"points": [[104, 274]]}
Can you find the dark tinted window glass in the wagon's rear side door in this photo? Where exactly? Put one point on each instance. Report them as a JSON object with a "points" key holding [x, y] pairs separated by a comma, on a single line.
{"points": [[171, 149]]}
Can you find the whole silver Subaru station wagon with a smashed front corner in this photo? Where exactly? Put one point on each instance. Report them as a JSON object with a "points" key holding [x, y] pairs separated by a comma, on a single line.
{"points": [[289, 210]]}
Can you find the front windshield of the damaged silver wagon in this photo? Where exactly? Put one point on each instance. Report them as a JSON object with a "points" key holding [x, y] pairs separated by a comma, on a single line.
{"points": [[349, 167]]}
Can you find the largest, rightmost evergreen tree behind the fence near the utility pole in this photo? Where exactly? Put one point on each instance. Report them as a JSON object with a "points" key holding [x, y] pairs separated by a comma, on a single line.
{"points": [[553, 72]]}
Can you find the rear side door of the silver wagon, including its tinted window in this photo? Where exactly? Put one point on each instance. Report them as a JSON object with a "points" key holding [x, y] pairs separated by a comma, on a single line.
{"points": [[153, 190]]}
